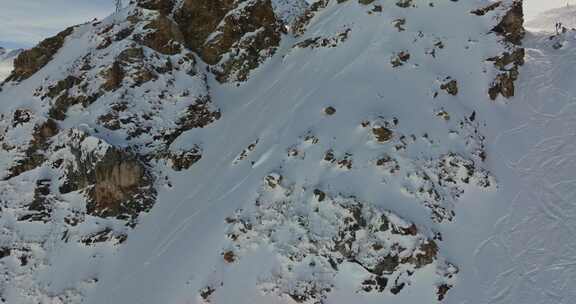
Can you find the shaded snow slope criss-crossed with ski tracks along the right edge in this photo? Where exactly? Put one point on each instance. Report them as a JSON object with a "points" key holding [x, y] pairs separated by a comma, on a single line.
{"points": [[537, 234]]}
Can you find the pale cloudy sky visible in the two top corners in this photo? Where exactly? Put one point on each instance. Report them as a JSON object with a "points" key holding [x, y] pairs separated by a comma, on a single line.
{"points": [[25, 22]]}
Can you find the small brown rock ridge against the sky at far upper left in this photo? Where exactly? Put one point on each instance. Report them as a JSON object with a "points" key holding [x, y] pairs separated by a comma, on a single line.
{"points": [[31, 61]]}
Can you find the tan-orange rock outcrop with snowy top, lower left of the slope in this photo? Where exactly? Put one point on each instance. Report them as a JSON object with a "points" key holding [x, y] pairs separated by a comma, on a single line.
{"points": [[116, 182]]}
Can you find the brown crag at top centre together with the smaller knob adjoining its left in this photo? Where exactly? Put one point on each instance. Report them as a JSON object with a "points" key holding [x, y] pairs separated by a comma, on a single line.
{"points": [[245, 33]]}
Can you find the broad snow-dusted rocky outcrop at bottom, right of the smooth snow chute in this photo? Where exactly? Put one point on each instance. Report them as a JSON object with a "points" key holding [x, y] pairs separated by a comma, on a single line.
{"points": [[326, 234]]}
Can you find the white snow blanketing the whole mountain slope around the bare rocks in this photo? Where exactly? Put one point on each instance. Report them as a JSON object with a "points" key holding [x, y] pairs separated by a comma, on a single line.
{"points": [[512, 235]]}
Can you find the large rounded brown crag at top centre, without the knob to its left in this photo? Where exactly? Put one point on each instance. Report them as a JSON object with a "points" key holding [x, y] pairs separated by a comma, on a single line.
{"points": [[216, 28]]}
